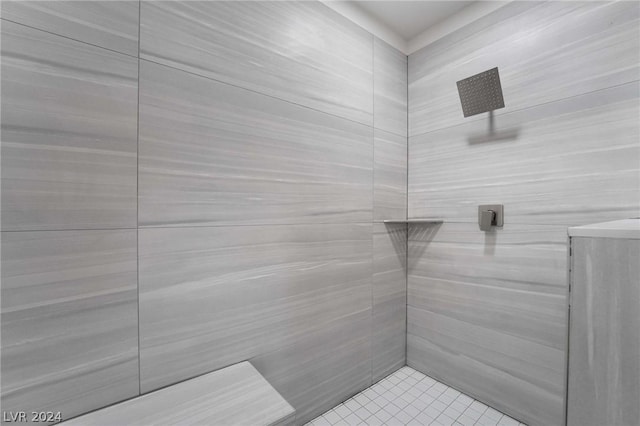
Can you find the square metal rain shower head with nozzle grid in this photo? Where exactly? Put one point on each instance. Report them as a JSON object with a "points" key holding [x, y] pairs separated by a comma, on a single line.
{"points": [[481, 93]]}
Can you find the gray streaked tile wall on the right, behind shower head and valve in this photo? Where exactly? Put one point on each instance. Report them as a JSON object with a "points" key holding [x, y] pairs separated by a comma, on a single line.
{"points": [[487, 311]]}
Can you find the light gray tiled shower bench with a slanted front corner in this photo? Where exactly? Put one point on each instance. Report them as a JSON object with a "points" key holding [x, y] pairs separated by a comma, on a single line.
{"points": [[235, 395]]}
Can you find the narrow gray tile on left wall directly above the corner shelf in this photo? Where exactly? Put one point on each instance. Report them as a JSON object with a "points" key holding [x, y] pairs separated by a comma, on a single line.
{"points": [[389, 176]]}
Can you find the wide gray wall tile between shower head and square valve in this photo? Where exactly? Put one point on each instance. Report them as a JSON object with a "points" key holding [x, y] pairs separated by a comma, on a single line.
{"points": [[545, 164]]}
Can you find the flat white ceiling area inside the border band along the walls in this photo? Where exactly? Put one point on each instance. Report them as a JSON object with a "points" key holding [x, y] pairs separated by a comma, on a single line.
{"points": [[409, 19]]}
